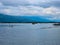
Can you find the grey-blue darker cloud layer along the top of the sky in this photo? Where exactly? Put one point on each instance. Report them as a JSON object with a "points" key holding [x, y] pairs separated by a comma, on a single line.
{"points": [[46, 4]]}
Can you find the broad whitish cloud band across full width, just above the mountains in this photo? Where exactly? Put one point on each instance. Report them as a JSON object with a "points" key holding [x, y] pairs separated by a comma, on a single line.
{"points": [[29, 10]]}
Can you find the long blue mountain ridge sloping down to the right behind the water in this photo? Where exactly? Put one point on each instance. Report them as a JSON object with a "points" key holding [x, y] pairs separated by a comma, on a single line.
{"points": [[22, 19]]}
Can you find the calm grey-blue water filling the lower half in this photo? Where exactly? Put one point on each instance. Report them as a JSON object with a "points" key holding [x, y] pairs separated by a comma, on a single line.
{"points": [[28, 34]]}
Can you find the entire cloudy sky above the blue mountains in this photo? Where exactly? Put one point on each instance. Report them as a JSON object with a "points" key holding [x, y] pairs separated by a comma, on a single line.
{"points": [[30, 7]]}
